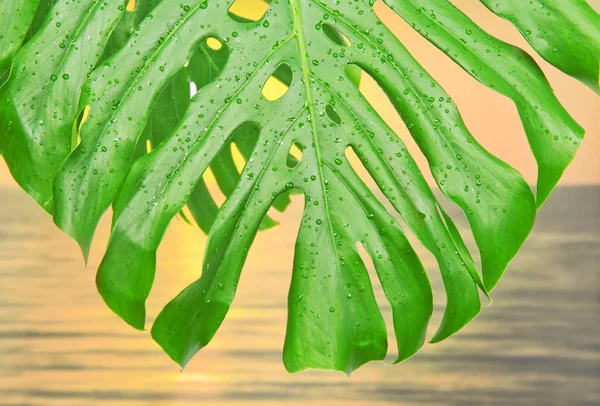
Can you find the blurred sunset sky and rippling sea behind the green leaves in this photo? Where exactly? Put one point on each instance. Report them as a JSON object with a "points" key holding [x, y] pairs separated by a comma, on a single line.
{"points": [[538, 344]]}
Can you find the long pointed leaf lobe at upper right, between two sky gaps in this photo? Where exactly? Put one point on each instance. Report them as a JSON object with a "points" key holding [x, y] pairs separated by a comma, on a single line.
{"points": [[553, 134]]}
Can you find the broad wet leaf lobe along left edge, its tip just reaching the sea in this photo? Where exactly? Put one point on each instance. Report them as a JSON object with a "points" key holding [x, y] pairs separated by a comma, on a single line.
{"points": [[38, 105]]}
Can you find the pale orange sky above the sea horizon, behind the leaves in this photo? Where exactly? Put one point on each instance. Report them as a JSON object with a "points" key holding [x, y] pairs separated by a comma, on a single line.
{"points": [[491, 117]]}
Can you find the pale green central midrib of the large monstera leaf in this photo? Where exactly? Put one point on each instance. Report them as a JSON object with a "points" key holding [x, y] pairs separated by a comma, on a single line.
{"points": [[306, 75]]}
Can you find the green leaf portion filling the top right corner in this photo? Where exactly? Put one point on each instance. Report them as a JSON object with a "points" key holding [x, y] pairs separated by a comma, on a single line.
{"points": [[564, 33]]}
